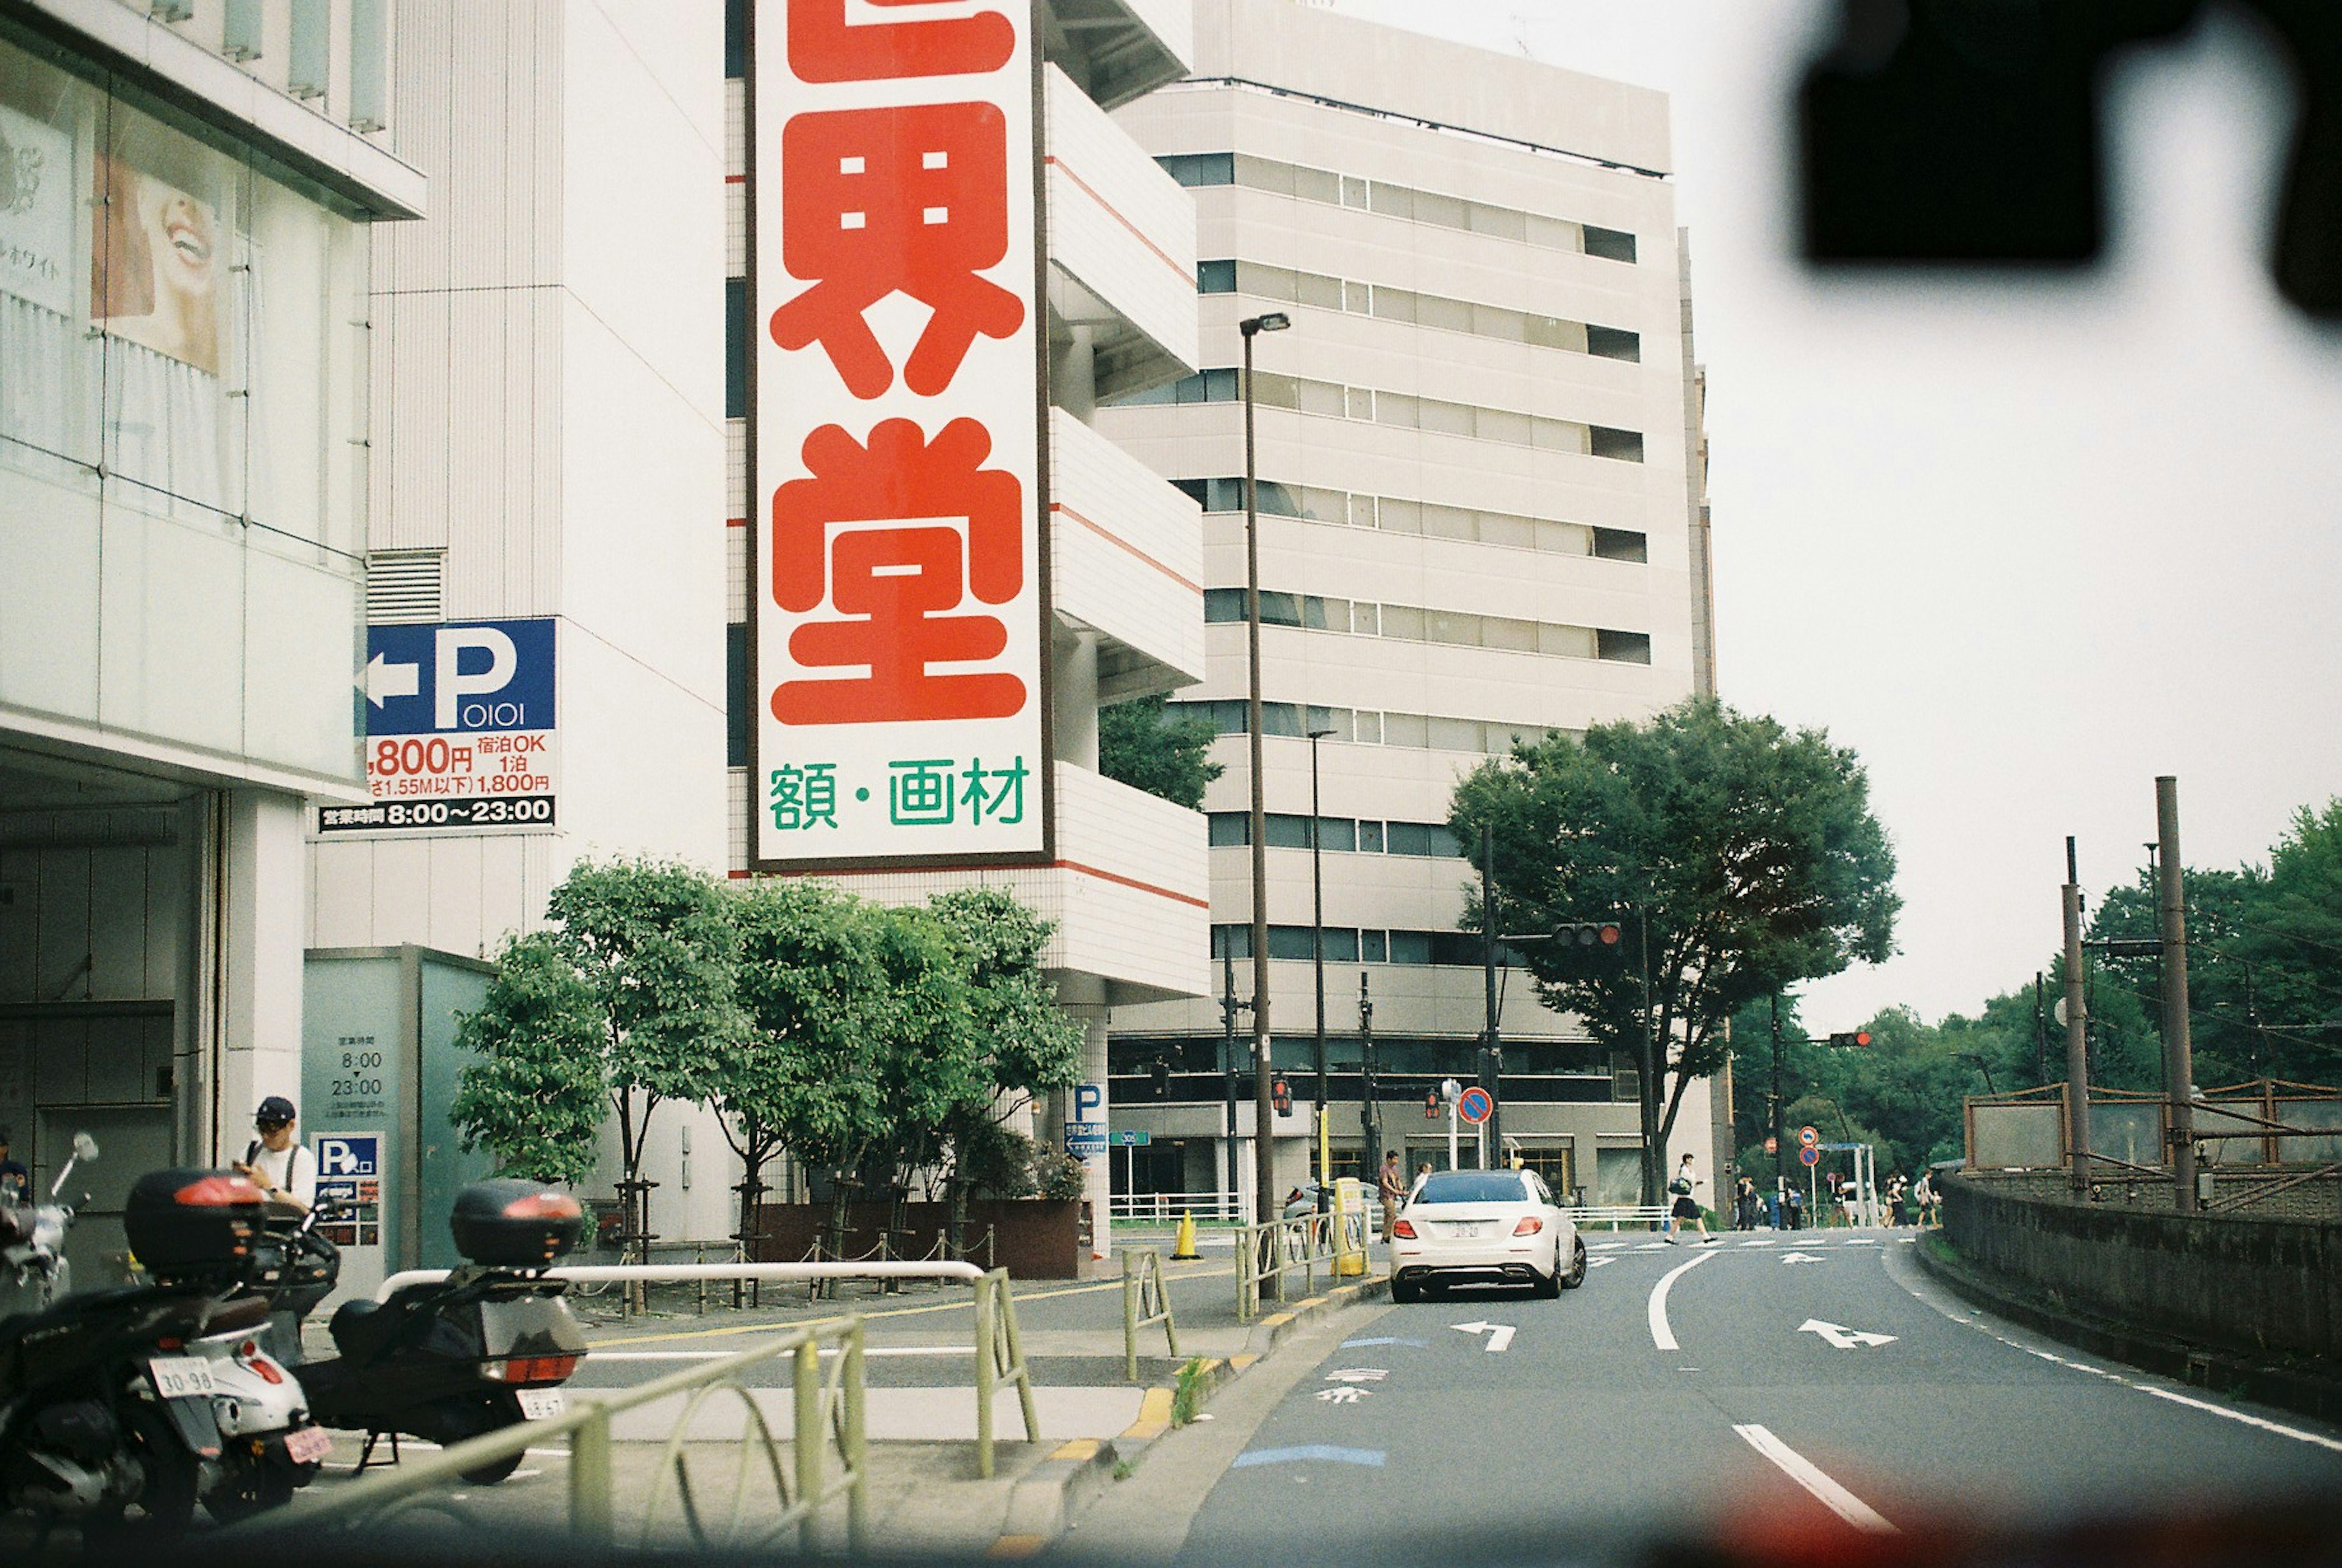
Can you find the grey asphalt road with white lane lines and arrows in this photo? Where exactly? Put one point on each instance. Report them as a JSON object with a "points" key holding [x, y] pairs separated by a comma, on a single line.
{"points": [[1692, 1391]]}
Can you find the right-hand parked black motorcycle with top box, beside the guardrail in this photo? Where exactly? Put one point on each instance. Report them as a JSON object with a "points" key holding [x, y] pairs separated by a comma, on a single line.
{"points": [[472, 1354]]}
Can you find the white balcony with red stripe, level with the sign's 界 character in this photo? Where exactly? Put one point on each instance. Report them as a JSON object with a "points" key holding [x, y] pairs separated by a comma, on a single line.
{"points": [[1121, 247]]}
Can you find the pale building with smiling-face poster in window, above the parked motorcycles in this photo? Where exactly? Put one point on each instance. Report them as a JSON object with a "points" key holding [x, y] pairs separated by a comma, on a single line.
{"points": [[186, 207]]}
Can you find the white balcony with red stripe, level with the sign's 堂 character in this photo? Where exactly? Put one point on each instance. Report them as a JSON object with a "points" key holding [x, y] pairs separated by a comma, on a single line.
{"points": [[1128, 563]]}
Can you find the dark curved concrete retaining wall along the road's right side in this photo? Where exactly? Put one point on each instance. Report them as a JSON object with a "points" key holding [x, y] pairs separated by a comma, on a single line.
{"points": [[2233, 1284]]}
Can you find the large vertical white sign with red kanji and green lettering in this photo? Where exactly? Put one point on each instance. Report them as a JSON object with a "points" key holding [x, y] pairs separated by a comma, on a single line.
{"points": [[898, 603]]}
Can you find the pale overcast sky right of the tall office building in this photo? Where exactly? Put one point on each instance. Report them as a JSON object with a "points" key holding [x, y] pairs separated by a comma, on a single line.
{"points": [[2020, 546]]}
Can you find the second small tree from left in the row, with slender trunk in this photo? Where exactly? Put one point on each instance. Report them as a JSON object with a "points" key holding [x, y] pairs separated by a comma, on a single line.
{"points": [[655, 947]]}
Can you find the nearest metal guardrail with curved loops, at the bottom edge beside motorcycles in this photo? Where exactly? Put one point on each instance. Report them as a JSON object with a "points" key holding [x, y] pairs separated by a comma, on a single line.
{"points": [[828, 1419]]}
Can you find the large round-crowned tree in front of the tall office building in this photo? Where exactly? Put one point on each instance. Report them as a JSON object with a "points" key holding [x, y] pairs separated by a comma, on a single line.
{"points": [[1741, 858]]}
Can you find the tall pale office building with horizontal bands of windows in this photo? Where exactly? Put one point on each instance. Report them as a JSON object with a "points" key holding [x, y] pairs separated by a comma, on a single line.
{"points": [[1484, 518]]}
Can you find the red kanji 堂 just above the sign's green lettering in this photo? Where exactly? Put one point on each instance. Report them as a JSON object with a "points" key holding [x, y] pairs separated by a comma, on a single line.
{"points": [[891, 584]]}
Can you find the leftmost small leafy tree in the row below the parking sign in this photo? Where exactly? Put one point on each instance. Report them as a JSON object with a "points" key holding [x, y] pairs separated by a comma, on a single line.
{"points": [[535, 1092]]}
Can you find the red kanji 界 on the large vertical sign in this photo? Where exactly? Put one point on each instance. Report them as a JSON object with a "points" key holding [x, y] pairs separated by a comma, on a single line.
{"points": [[910, 200]]}
